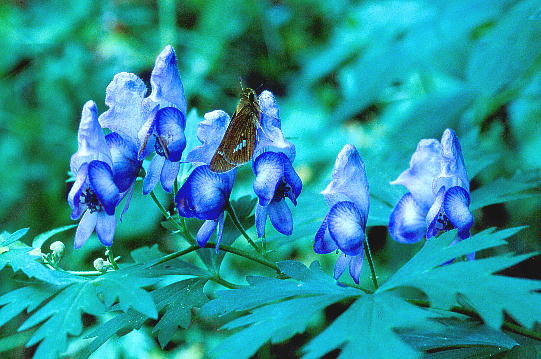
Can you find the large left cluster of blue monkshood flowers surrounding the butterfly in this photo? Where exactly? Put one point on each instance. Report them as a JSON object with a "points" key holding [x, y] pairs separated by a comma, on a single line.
{"points": [[106, 167]]}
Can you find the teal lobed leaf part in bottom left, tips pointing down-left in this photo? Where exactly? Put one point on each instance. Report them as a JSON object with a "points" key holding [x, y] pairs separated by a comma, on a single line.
{"points": [[62, 315]]}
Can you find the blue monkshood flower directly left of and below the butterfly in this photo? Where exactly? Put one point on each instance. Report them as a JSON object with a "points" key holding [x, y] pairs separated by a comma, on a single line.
{"points": [[205, 194]]}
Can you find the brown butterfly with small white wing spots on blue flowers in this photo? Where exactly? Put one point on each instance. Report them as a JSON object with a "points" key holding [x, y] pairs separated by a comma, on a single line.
{"points": [[238, 144]]}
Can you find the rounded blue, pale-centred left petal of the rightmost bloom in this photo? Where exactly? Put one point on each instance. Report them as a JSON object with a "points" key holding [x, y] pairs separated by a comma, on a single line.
{"points": [[407, 221]]}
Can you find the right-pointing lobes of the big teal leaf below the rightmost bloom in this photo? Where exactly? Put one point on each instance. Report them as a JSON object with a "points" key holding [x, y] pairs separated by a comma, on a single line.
{"points": [[474, 281]]}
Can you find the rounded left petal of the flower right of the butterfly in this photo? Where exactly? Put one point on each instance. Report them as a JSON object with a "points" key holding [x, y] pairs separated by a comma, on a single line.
{"points": [[268, 169]]}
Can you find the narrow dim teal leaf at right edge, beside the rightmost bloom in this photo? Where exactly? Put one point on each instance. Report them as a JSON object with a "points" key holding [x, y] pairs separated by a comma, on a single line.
{"points": [[504, 190]]}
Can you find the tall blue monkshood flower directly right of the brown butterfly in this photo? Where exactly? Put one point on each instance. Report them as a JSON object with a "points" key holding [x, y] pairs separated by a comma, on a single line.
{"points": [[275, 177]]}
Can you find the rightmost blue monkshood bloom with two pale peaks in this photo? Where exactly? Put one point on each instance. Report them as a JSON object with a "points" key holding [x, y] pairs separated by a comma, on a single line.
{"points": [[439, 194]]}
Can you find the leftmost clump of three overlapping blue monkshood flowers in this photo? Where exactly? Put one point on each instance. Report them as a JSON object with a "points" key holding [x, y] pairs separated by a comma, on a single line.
{"points": [[106, 167]]}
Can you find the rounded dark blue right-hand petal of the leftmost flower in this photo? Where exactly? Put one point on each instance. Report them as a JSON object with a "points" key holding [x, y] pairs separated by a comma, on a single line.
{"points": [[101, 180]]}
